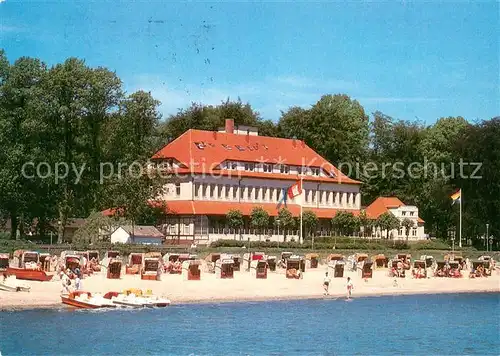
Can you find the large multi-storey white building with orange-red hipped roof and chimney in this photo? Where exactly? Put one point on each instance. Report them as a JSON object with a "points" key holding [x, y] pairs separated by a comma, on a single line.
{"points": [[235, 168]]}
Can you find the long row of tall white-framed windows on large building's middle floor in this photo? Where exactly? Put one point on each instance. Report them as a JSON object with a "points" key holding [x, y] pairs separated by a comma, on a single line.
{"points": [[266, 194]]}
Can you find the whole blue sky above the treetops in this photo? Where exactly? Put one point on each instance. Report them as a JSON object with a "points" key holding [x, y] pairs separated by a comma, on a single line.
{"points": [[410, 60]]}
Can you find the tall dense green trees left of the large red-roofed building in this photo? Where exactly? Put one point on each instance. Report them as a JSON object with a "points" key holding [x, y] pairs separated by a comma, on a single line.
{"points": [[64, 130]]}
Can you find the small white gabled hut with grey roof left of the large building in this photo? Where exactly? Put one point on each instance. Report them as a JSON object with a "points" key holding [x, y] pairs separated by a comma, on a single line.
{"points": [[146, 235]]}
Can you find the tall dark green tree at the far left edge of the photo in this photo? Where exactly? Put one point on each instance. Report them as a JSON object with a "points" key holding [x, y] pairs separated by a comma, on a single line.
{"points": [[19, 123]]}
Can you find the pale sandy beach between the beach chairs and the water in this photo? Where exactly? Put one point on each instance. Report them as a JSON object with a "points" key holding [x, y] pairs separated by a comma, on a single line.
{"points": [[245, 287]]}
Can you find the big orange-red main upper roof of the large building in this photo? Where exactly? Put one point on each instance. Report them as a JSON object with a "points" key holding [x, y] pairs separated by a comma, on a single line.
{"points": [[203, 151]]}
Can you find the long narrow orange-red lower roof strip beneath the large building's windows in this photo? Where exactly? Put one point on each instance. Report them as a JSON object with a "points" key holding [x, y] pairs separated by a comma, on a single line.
{"points": [[189, 207]]}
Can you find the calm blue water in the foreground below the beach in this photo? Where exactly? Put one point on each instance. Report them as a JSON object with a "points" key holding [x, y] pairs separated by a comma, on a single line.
{"points": [[405, 325]]}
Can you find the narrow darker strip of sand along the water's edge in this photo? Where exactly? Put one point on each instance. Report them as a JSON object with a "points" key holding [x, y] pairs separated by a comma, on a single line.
{"points": [[14, 307]]}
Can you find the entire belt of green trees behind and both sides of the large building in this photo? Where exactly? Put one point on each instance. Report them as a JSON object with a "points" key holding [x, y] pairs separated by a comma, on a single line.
{"points": [[81, 116]]}
